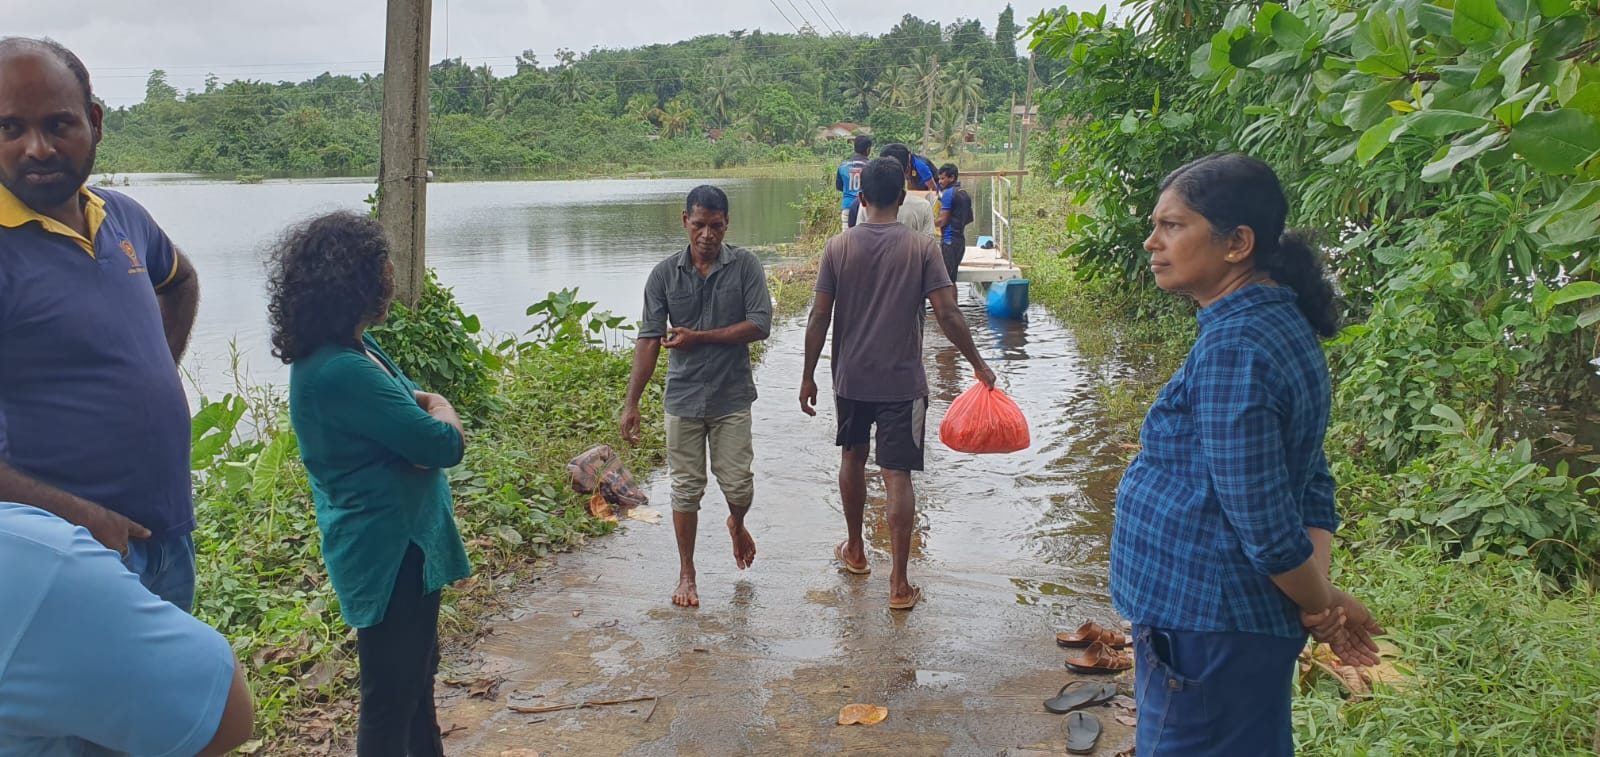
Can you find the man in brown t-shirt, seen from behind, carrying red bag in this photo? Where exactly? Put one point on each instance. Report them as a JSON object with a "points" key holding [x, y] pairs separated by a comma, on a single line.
{"points": [[871, 289]]}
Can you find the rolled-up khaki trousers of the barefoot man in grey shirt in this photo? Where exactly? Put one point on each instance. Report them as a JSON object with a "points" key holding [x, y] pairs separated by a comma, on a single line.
{"points": [[732, 457]]}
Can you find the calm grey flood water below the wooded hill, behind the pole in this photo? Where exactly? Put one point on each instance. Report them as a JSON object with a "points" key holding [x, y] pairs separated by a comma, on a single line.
{"points": [[500, 246]]}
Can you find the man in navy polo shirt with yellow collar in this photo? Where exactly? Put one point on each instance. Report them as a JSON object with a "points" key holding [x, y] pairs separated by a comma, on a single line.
{"points": [[95, 311]]}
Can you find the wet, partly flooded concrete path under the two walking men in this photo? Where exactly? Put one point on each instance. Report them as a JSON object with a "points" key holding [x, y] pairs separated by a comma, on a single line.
{"points": [[1009, 550]]}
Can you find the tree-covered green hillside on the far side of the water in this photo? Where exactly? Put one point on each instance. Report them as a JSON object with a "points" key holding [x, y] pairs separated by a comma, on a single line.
{"points": [[711, 102]]}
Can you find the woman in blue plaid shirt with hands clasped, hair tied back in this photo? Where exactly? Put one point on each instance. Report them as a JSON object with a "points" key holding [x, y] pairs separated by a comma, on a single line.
{"points": [[1225, 521]]}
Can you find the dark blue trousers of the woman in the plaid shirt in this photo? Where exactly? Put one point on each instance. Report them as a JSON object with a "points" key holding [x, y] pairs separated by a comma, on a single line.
{"points": [[1214, 695]]}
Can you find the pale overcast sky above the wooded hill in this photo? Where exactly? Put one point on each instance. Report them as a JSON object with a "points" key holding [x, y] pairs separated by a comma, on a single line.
{"points": [[300, 39]]}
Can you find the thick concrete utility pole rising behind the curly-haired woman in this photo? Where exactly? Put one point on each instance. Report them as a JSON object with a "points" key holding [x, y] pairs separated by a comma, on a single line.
{"points": [[402, 174]]}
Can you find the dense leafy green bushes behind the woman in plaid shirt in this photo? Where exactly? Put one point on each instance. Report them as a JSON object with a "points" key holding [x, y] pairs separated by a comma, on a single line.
{"points": [[1447, 151]]}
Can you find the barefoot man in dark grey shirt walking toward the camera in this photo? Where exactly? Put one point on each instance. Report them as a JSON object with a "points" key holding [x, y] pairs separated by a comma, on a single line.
{"points": [[716, 300]]}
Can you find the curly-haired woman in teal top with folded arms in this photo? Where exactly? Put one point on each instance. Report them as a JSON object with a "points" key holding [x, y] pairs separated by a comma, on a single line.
{"points": [[375, 451]]}
